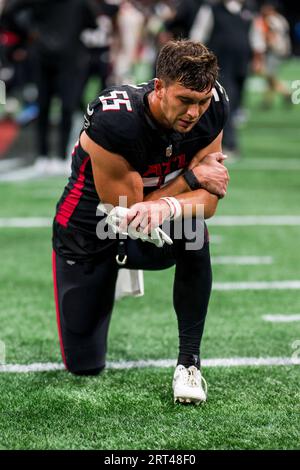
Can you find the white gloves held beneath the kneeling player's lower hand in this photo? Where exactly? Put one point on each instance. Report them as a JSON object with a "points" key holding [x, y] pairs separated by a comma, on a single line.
{"points": [[157, 236]]}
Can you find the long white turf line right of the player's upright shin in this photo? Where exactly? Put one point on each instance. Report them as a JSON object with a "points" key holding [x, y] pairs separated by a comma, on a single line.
{"points": [[263, 285]]}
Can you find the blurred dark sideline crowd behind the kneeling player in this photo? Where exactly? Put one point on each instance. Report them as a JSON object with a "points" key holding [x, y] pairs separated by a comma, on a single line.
{"points": [[56, 55]]}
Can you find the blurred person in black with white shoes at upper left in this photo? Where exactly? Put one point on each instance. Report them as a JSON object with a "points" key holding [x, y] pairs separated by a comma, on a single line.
{"points": [[54, 32]]}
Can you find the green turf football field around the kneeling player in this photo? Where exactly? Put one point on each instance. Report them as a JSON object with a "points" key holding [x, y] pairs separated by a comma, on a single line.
{"points": [[248, 407]]}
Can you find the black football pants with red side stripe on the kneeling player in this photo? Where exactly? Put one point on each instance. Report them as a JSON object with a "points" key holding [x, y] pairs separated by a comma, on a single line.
{"points": [[84, 294]]}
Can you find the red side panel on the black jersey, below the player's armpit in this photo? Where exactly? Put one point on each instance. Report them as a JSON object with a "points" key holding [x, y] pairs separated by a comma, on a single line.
{"points": [[72, 199]]}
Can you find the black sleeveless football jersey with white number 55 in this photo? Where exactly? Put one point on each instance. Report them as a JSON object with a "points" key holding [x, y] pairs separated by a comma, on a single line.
{"points": [[119, 121]]}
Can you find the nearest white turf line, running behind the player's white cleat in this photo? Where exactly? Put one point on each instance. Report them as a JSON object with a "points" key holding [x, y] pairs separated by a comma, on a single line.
{"points": [[161, 363]]}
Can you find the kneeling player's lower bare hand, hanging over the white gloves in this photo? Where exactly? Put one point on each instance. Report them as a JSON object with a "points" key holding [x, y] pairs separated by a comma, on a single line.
{"points": [[144, 217]]}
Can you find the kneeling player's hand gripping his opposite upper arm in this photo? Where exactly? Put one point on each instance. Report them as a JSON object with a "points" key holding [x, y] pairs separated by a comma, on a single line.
{"points": [[212, 174]]}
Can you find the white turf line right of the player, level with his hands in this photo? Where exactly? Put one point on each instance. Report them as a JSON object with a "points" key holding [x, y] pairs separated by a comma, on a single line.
{"points": [[245, 220]]}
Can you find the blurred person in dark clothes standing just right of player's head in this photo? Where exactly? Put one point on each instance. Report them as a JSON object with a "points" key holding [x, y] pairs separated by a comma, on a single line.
{"points": [[225, 28]]}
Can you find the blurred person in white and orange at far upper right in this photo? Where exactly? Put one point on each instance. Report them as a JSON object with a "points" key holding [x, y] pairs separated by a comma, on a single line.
{"points": [[271, 44]]}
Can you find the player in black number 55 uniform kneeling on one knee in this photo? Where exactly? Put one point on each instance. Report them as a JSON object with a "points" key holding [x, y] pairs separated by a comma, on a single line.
{"points": [[159, 145]]}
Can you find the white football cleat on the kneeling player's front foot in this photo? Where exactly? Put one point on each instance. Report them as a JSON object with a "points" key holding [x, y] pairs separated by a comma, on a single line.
{"points": [[188, 385]]}
